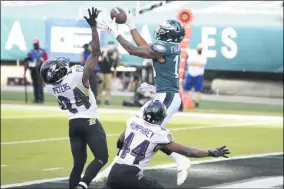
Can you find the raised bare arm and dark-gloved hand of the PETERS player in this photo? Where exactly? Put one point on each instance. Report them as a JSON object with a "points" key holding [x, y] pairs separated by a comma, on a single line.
{"points": [[95, 44]]}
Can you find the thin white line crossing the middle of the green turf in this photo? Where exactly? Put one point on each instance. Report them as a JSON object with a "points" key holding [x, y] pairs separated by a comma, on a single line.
{"points": [[173, 130]]}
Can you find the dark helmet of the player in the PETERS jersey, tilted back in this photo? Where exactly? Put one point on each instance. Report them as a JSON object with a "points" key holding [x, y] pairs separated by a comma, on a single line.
{"points": [[54, 70]]}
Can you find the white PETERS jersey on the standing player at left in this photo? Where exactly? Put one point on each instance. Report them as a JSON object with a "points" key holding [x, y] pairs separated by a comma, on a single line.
{"points": [[73, 96]]}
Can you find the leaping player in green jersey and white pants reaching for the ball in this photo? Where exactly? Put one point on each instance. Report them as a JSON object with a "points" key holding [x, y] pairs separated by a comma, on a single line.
{"points": [[165, 54]]}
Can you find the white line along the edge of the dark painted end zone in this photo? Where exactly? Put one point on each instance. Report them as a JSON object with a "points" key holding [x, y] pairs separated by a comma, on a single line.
{"points": [[154, 167]]}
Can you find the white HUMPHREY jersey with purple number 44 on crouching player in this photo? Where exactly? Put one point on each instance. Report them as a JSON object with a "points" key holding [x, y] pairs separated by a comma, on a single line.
{"points": [[141, 138]]}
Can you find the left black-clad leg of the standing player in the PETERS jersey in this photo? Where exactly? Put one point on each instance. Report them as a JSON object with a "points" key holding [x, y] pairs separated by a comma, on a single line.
{"points": [[79, 152]]}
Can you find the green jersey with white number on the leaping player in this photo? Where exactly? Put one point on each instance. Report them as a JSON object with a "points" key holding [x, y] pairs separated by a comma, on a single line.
{"points": [[166, 74]]}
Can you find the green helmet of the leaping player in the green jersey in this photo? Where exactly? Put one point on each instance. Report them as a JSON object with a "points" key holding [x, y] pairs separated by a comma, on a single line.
{"points": [[170, 31]]}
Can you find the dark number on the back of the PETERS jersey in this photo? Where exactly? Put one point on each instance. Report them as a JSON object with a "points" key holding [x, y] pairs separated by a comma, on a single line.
{"points": [[80, 99]]}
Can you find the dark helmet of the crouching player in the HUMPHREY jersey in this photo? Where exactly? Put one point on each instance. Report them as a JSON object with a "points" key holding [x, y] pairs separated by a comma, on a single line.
{"points": [[155, 112]]}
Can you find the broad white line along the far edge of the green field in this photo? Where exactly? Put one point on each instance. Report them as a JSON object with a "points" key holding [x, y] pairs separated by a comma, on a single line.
{"points": [[132, 112]]}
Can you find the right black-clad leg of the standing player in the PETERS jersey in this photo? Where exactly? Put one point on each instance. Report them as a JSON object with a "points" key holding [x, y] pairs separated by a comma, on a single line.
{"points": [[96, 140]]}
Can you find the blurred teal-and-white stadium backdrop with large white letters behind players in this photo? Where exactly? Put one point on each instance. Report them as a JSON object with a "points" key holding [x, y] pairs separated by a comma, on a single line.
{"points": [[243, 41]]}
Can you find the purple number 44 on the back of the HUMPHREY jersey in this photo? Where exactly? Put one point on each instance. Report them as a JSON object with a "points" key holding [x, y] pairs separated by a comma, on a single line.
{"points": [[139, 151]]}
